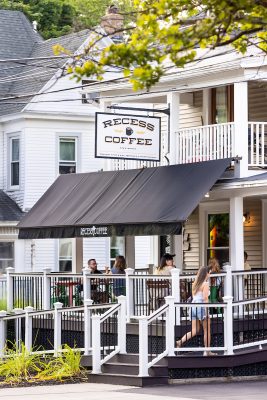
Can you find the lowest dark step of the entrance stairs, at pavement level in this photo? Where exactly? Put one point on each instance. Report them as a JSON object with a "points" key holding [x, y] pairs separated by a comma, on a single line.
{"points": [[127, 380]]}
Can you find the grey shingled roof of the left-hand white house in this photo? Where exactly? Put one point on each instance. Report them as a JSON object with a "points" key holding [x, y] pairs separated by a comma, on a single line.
{"points": [[19, 40]]}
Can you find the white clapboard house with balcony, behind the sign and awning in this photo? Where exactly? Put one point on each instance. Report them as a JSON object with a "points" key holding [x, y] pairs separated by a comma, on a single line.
{"points": [[217, 110]]}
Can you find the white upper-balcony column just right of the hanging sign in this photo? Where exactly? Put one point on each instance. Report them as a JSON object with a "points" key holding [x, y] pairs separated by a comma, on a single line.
{"points": [[174, 102]]}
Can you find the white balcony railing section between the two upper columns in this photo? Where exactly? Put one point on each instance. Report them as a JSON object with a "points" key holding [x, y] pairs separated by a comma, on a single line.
{"points": [[204, 143]]}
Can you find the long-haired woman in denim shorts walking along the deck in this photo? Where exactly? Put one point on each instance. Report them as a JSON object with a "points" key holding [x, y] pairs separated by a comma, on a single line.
{"points": [[200, 315]]}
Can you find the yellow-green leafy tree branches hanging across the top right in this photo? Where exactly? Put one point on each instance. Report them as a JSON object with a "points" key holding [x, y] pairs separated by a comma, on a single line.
{"points": [[170, 31]]}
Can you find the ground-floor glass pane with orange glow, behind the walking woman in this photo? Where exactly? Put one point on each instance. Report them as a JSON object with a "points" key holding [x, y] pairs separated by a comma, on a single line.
{"points": [[218, 237]]}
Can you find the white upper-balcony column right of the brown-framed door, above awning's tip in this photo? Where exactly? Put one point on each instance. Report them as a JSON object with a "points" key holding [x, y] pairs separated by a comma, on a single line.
{"points": [[241, 127]]}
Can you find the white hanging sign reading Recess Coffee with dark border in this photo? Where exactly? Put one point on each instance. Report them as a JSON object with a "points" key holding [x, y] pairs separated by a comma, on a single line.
{"points": [[133, 137]]}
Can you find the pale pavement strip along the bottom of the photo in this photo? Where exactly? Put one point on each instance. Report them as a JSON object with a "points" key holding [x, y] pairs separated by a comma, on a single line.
{"points": [[90, 391]]}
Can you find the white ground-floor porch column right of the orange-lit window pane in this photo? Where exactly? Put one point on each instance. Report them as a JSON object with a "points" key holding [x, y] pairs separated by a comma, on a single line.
{"points": [[236, 233]]}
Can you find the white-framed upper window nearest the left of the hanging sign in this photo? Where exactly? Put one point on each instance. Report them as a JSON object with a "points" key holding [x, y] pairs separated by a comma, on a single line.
{"points": [[67, 155]]}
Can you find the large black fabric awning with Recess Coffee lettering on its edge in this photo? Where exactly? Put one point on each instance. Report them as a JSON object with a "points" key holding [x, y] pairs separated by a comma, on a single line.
{"points": [[149, 201]]}
